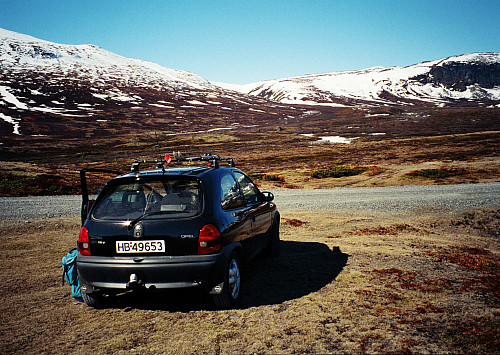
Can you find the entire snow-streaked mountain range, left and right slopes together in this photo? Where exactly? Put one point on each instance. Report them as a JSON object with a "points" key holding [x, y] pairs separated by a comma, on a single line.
{"points": [[51, 89]]}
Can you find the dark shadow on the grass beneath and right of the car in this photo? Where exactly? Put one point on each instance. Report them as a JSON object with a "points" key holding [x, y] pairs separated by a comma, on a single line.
{"points": [[302, 268]]}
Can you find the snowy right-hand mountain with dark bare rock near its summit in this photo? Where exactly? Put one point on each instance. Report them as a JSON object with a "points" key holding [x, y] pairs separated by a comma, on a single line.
{"points": [[470, 79]]}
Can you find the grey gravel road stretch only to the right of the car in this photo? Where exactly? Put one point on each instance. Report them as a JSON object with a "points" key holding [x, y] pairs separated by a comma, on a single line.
{"points": [[394, 199]]}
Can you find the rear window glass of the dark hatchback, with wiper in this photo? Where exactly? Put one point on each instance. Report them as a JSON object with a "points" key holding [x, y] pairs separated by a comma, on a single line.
{"points": [[158, 197]]}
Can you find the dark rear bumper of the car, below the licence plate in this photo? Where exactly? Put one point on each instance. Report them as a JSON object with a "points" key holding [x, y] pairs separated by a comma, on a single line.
{"points": [[97, 273]]}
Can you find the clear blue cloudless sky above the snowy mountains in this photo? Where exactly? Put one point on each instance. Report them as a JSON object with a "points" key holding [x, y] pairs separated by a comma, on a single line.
{"points": [[241, 41]]}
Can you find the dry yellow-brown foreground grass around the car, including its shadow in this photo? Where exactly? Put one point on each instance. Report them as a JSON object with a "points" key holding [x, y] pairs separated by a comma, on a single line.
{"points": [[345, 282]]}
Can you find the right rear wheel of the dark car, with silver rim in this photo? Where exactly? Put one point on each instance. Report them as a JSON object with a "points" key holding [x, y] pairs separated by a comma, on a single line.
{"points": [[230, 293]]}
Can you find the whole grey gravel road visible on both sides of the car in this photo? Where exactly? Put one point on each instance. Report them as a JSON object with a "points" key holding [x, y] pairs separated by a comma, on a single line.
{"points": [[393, 200]]}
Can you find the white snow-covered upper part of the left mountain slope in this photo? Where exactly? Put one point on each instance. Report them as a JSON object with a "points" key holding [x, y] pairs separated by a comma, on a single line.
{"points": [[93, 63]]}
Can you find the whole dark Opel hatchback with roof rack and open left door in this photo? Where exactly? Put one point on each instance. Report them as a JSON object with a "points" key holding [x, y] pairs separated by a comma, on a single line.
{"points": [[183, 226]]}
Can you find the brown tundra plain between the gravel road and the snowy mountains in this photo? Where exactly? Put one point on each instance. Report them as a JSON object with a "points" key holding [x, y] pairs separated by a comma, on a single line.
{"points": [[420, 146]]}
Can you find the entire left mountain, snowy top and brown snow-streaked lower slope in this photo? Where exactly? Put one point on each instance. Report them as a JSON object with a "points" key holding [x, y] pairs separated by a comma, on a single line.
{"points": [[51, 89]]}
